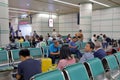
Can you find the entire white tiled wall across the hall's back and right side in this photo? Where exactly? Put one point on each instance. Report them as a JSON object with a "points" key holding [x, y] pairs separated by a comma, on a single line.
{"points": [[106, 21]]}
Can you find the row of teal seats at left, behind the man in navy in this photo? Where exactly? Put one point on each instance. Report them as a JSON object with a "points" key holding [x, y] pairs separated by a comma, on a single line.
{"points": [[9, 59]]}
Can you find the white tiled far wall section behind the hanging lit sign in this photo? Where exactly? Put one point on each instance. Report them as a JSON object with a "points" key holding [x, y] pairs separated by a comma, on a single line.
{"points": [[40, 24]]}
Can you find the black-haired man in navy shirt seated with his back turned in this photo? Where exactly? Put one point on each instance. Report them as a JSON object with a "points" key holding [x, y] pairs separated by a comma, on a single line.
{"points": [[28, 67]]}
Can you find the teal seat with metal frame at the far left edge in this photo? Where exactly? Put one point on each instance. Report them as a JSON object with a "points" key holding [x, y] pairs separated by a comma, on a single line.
{"points": [[4, 61]]}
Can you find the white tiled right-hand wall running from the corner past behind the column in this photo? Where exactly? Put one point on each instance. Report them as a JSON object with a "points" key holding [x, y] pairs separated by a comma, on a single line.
{"points": [[105, 21]]}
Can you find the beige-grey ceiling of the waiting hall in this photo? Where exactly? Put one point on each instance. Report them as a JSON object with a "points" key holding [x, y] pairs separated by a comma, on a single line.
{"points": [[18, 7]]}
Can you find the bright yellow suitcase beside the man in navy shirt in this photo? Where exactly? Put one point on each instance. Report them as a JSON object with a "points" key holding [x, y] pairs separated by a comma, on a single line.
{"points": [[46, 63]]}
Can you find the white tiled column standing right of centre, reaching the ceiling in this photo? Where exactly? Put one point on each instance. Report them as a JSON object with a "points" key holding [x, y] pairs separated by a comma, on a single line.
{"points": [[86, 20]]}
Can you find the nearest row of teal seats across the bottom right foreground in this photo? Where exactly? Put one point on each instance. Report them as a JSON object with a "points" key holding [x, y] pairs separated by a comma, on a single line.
{"points": [[95, 69]]}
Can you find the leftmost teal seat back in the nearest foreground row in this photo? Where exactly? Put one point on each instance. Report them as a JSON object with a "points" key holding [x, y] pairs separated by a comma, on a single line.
{"points": [[51, 75]]}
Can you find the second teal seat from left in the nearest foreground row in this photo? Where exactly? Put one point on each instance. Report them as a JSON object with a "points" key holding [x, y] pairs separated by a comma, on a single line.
{"points": [[76, 72]]}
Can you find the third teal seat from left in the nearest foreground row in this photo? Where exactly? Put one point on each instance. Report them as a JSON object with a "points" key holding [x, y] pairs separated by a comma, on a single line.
{"points": [[96, 69]]}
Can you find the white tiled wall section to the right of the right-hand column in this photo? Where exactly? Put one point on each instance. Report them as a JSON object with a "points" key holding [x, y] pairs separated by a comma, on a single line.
{"points": [[107, 21]]}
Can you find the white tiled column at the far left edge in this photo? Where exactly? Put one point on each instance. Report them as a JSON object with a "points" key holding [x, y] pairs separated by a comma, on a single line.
{"points": [[4, 23]]}
